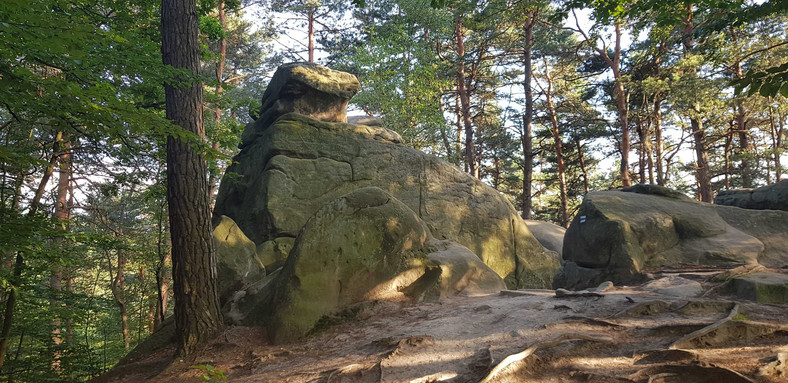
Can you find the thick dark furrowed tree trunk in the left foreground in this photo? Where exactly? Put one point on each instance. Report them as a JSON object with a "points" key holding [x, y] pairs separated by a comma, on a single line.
{"points": [[197, 314]]}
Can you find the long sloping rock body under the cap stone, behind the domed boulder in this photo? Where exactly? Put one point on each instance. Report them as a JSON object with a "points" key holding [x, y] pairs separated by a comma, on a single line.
{"points": [[289, 169]]}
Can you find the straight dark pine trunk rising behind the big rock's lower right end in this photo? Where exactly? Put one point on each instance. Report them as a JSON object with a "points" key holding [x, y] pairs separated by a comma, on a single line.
{"points": [[526, 138]]}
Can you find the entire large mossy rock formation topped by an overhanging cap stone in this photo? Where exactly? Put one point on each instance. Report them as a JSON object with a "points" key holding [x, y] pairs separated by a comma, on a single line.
{"points": [[345, 213]]}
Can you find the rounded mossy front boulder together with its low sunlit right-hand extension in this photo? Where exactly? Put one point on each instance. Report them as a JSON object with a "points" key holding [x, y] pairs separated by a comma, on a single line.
{"points": [[366, 246]]}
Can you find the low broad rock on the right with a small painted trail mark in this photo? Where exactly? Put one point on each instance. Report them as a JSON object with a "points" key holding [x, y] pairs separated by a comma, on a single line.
{"points": [[620, 235]]}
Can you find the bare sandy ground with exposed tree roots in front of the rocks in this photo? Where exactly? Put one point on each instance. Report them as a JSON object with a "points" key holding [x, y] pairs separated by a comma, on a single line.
{"points": [[621, 335]]}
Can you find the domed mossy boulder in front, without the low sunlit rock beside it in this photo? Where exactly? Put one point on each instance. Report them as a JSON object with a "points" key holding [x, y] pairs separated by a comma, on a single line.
{"points": [[345, 251]]}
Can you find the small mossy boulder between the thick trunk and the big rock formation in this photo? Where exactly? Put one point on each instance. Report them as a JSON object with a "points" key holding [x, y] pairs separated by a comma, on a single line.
{"points": [[236, 259]]}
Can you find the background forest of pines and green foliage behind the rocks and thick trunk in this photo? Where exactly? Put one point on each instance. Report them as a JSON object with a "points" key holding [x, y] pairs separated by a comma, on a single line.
{"points": [[544, 101]]}
